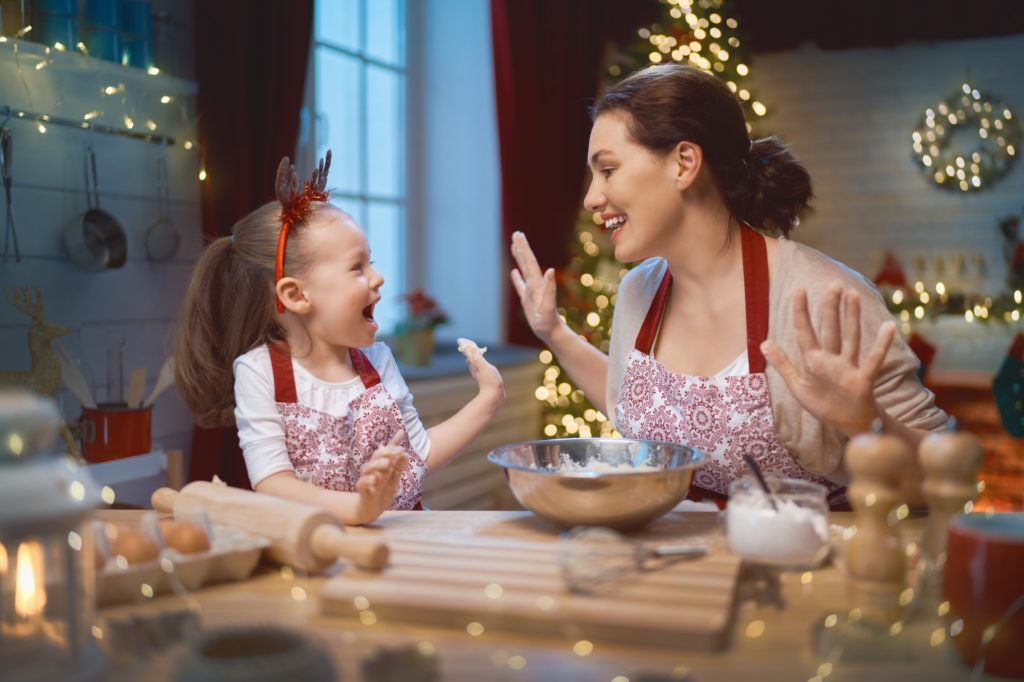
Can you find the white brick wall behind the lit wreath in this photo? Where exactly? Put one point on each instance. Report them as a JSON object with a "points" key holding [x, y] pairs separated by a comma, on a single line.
{"points": [[848, 116]]}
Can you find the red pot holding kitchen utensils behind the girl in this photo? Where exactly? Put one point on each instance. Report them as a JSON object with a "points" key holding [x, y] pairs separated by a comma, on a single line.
{"points": [[113, 432]]}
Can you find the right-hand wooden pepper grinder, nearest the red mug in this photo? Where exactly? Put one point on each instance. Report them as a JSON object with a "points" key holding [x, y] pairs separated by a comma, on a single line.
{"points": [[951, 461]]}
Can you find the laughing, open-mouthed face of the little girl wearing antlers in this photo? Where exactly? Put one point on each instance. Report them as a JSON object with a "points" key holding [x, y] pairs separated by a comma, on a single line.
{"points": [[342, 284]]}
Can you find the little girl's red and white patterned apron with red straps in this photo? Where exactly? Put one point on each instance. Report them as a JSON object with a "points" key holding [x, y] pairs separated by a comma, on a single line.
{"points": [[330, 451]]}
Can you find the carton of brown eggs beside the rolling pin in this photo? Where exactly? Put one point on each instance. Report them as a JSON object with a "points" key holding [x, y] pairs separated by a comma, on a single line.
{"points": [[234, 556]]}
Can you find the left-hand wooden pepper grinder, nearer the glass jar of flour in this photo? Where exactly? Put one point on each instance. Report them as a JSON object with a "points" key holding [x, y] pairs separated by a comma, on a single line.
{"points": [[875, 558]]}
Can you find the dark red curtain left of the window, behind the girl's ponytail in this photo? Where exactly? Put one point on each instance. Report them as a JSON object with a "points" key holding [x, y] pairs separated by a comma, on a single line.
{"points": [[251, 64]]}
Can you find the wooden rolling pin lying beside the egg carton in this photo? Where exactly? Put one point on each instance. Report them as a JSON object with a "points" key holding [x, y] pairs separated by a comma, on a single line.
{"points": [[301, 536]]}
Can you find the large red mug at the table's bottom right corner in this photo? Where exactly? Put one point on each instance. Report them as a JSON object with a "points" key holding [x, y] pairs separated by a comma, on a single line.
{"points": [[985, 584]]}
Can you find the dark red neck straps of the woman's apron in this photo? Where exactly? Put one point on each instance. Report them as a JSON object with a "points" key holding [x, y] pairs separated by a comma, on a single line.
{"points": [[755, 257]]}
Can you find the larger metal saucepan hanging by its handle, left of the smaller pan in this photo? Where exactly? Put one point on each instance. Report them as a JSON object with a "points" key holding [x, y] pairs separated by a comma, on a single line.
{"points": [[99, 242]]}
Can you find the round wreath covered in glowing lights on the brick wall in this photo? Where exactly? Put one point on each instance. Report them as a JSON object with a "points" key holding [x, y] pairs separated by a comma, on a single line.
{"points": [[999, 136]]}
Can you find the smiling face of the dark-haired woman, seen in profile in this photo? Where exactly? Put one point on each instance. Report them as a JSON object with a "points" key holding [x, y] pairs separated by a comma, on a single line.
{"points": [[635, 191]]}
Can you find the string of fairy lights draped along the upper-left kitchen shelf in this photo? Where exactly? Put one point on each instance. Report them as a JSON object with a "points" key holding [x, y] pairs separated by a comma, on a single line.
{"points": [[31, 58]]}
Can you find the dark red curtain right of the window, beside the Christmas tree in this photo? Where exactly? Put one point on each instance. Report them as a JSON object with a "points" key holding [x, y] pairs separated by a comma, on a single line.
{"points": [[547, 59]]}
